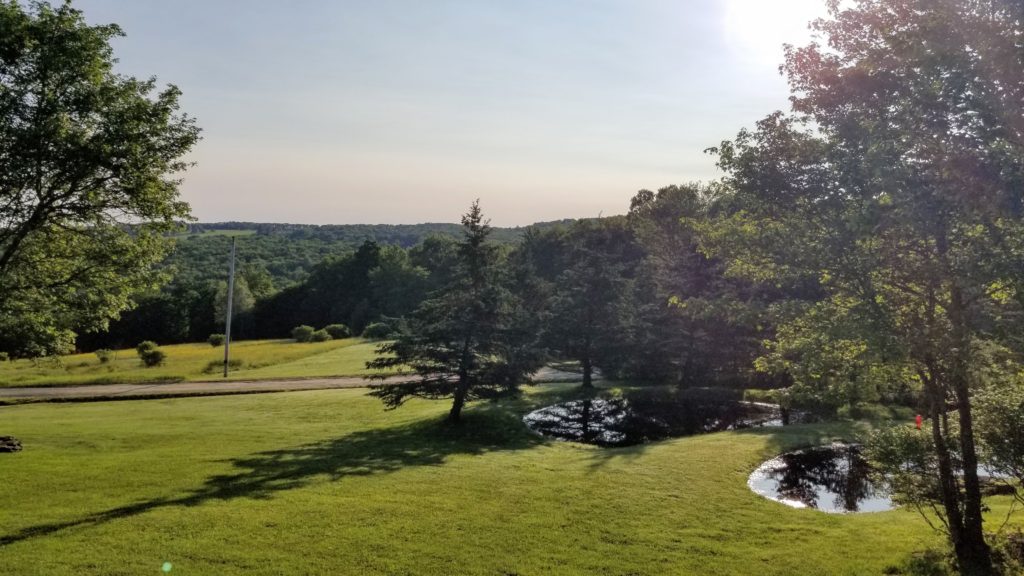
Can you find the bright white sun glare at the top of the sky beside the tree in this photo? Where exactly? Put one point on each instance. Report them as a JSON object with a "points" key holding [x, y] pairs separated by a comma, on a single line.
{"points": [[757, 29]]}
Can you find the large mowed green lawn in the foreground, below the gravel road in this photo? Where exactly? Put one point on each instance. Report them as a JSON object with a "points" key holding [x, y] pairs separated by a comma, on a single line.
{"points": [[329, 483]]}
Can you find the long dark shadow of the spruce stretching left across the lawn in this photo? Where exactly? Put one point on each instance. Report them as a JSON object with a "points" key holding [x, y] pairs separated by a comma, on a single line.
{"points": [[424, 443]]}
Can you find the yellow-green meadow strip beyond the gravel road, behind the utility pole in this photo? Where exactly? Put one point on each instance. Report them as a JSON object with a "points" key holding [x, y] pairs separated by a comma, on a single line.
{"points": [[258, 360]]}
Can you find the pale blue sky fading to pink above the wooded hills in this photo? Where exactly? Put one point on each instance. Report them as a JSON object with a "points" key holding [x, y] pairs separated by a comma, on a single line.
{"points": [[406, 111]]}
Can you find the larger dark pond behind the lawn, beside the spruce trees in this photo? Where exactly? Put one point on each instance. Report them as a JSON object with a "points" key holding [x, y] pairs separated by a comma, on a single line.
{"points": [[646, 418]]}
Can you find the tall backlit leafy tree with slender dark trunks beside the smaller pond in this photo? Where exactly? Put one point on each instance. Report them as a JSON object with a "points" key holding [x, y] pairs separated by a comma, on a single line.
{"points": [[895, 186]]}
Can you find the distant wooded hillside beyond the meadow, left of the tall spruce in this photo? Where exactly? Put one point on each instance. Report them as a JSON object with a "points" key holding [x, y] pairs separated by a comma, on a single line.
{"points": [[280, 266]]}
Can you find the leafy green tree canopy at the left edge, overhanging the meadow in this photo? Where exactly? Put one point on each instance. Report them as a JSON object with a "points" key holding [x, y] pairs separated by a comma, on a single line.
{"points": [[90, 166]]}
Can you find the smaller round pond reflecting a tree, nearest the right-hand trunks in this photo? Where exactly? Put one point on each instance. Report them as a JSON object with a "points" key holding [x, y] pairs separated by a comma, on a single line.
{"points": [[832, 479]]}
